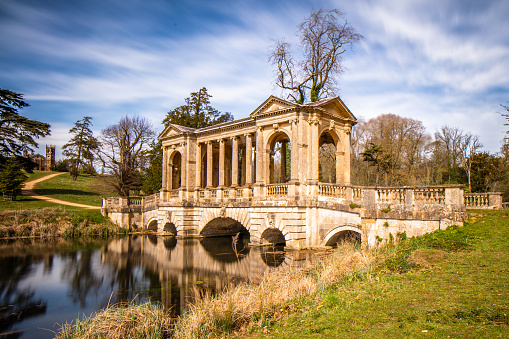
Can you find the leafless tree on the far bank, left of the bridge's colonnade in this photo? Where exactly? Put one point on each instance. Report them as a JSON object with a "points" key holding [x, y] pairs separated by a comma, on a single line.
{"points": [[123, 147]]}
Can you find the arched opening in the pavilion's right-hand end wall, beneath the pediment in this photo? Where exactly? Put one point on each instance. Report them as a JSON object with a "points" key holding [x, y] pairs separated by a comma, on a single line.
{"points": [[327, 146]]}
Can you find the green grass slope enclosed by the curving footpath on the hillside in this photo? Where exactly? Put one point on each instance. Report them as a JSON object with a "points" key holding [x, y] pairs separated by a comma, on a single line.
{"points": [[86, 189]]}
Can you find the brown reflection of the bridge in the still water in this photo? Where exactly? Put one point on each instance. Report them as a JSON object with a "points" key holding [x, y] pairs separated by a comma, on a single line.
{"points": [[178, 268]]}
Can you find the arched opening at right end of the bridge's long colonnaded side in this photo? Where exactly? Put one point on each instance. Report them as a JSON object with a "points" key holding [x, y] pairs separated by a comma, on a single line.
{"points": [[278, 164]]}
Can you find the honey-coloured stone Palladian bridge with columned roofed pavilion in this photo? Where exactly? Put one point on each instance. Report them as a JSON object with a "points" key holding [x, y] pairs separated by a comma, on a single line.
{"points": [[266, 175]]}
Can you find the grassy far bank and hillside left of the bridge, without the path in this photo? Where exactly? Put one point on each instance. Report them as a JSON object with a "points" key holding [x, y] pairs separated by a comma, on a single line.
{"points": [[30, 217]]}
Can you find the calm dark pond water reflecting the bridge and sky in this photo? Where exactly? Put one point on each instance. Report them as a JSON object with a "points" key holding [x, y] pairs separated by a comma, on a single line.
{"points": [[44, 284]]}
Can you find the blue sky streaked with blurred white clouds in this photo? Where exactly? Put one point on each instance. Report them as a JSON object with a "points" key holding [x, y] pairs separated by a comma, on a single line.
{"points": [[443, 62]]}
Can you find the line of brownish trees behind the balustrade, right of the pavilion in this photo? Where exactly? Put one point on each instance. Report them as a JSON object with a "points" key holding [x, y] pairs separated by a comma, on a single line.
{"points": [[391, 150]]}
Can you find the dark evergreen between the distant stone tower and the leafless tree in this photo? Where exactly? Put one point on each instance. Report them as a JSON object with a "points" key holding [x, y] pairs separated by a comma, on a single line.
{"points": [[81, 147]]}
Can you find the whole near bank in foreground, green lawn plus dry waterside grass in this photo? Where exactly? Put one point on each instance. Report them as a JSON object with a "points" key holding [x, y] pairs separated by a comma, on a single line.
{"points": [[451, 283]]}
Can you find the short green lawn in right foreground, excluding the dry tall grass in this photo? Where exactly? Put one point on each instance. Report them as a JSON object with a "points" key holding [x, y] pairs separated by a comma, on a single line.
{"points": [[447, 284]]}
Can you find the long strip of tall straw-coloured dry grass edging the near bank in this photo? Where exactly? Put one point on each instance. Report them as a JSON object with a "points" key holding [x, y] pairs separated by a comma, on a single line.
{"points": [[240, 305]]}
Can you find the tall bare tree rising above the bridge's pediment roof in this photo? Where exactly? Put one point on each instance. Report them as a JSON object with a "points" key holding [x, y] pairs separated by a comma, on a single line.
{"points": [[324, 37]]}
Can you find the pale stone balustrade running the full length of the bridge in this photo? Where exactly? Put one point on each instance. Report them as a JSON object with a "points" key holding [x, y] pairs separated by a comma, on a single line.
{"points": [[369, 198]]}
